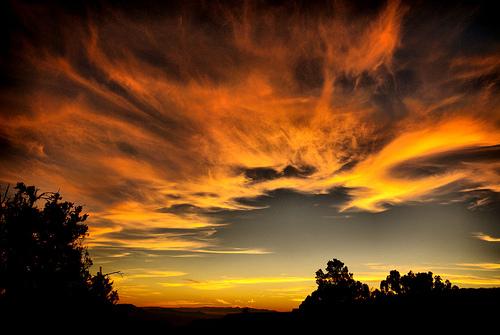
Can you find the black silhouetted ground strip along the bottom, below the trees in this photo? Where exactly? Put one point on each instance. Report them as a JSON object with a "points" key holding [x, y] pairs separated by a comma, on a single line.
{"points": [[472, 310]]}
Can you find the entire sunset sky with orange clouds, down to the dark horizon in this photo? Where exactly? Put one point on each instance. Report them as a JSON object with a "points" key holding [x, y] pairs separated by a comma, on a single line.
{"points": [[226, 150]]}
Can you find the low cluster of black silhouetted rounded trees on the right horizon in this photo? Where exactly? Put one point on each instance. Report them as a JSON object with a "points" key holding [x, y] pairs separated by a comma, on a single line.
{"points": [[337, 287]]}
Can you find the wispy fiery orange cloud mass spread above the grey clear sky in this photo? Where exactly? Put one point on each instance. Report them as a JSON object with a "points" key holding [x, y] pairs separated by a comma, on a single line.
{"points": [[136, 116]]}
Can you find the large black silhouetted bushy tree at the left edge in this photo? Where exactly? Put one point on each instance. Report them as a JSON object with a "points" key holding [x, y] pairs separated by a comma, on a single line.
{"points": [[42, 257]]}
